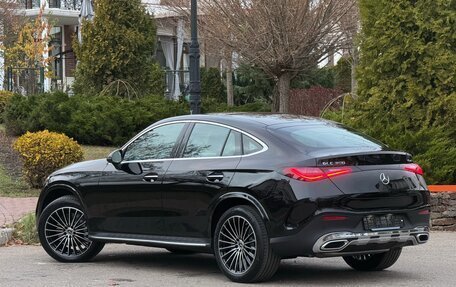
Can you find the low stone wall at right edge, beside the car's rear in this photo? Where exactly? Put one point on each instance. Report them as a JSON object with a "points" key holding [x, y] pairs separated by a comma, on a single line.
{"points": [[443, 211]]}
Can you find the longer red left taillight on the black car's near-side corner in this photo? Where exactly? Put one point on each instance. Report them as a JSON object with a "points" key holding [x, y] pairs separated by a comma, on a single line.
{"points": [[315, 173]]}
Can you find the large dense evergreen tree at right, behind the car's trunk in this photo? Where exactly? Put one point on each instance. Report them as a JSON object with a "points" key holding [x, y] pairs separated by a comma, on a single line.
{"points": [[407, 80]]}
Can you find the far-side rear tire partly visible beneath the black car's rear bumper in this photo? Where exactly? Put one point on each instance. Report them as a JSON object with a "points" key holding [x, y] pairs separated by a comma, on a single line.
{"points": [[373, 262]]}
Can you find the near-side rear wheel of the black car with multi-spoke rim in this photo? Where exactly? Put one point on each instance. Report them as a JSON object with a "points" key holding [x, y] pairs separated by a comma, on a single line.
{"points": [[260, 264]]}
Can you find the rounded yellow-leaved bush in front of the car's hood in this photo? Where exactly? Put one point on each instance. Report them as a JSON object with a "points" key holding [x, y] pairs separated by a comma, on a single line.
{"points": [[44, 152]]}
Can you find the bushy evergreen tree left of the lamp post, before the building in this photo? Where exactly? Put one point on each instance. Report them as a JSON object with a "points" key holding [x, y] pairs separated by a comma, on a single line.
{"points": [[118, 46]]}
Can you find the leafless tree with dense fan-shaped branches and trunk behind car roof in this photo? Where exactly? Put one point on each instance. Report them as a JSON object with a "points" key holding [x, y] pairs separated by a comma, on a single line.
{"points": [[283, 37]]}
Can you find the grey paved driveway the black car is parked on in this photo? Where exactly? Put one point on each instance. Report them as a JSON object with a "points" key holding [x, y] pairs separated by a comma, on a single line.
{"points": [[433, 264]]}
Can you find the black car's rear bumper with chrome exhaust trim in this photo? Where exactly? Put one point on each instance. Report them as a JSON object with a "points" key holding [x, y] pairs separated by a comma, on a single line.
{"points": [[320, 238]]}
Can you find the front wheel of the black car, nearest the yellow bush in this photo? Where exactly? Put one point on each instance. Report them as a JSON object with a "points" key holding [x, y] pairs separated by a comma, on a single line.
{"points": [[62, 230]]}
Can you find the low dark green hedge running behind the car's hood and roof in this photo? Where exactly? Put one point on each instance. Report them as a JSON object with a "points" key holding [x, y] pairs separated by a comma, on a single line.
{"points": [[99, 120]]}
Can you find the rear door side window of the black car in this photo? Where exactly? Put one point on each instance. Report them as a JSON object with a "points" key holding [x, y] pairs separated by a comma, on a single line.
{"points": [[206, 140]]}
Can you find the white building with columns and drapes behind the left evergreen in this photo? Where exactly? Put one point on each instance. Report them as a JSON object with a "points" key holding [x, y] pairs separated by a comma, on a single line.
{"points": [[172, 49]]}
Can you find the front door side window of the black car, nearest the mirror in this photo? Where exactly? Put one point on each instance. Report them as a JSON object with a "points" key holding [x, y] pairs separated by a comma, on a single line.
{"points": [[154, 144]]}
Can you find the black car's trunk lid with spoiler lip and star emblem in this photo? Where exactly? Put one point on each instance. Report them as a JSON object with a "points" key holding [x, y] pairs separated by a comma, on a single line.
{"points": [[378, 180]]}
